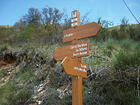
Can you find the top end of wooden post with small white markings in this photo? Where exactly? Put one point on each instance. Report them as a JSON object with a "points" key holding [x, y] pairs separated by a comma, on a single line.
{"points": [[75, 20]]}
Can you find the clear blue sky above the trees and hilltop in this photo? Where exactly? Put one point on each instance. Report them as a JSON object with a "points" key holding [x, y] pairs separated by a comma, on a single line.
{"points": [[112, 10]]}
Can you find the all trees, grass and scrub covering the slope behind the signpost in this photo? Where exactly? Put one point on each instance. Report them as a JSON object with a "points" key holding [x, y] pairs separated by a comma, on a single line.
{"points": [[112, 65]]}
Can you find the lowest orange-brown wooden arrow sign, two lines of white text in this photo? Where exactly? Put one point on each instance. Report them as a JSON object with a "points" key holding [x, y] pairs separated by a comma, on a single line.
{"points": [[73, 67]]}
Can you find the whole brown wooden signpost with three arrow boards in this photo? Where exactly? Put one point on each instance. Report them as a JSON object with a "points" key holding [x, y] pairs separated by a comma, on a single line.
{"points": [[70, 55]]}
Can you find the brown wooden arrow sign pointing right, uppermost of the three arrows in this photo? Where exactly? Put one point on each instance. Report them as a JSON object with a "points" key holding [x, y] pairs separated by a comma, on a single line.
{"points": [[80, 32]]}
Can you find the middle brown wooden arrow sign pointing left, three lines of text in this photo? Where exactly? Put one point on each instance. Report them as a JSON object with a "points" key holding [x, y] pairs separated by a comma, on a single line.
{"points": [[80, 49]]}
